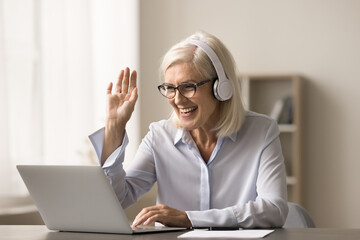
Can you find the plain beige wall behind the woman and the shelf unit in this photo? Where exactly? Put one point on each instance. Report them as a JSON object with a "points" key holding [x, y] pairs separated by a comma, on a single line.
{"points": [[318, 39]]}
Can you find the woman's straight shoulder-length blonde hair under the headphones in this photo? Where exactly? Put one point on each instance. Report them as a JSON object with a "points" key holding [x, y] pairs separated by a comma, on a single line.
{"points": [[231, 111]]}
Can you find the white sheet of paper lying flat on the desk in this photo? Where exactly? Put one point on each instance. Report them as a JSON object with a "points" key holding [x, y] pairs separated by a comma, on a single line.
{"points": [[226, 234]]}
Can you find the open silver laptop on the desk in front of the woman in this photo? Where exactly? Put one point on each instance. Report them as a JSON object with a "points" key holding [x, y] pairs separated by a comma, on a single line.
{"points": [[78, 199]]}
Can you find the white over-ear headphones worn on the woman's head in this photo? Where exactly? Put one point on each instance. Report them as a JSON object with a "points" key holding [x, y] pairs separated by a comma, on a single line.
{"points": [[222, 86]]}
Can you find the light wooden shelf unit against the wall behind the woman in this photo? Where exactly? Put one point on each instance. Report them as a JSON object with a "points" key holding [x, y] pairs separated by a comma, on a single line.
{"points": [[260, 94]]}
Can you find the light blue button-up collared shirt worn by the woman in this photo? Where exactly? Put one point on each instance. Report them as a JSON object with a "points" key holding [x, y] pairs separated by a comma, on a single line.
{"points": [[243, 184]]}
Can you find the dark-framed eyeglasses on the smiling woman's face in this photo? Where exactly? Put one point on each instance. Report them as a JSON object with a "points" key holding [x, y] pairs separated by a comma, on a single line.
{"points": [[188, 90]]}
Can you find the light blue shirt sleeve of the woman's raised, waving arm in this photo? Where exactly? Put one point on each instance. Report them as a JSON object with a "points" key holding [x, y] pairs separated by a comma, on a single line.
{"points": [[128, 185]]}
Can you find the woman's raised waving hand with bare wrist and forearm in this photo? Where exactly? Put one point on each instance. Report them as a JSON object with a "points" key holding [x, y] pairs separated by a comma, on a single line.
{"points": [[120, 105]]}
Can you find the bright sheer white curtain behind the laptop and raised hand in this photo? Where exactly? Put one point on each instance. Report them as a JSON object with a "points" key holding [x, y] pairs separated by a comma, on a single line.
{"points": [[56, 59]]}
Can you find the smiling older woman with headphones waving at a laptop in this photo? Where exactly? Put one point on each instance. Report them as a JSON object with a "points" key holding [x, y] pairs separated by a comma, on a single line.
{"points": [[215, 164]]}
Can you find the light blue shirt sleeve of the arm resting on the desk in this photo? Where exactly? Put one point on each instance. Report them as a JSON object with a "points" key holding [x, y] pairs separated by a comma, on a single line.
{"points": [[270, 208]]}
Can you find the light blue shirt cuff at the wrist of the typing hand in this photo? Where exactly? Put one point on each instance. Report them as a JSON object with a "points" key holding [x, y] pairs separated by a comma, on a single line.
{"points": [[213, 218]]}
